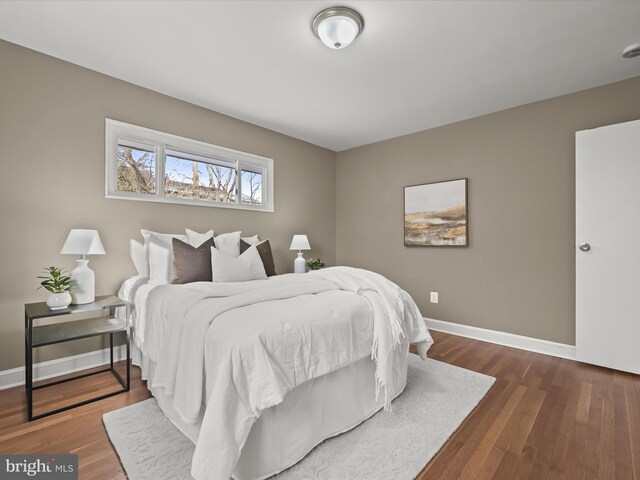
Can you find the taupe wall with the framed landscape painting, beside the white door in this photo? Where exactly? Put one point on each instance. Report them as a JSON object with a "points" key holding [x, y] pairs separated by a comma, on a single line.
{"points": [[517, 275]]}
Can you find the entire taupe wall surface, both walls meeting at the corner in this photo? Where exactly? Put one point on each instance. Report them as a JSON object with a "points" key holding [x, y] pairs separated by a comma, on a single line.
{"points": [[517, 276]]}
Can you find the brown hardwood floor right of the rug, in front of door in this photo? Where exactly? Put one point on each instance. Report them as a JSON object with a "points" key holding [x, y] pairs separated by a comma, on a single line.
{"points": [[544, 418]]}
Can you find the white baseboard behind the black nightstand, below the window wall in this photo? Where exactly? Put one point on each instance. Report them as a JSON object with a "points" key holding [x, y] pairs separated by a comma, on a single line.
{"points": [[61, 366]]}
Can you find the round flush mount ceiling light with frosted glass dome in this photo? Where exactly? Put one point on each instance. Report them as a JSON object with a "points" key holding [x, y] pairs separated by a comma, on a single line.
{"points": [[337, 27]]}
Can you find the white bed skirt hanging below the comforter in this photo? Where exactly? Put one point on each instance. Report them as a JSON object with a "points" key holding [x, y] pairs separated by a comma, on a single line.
{"points": [[314, 411]]}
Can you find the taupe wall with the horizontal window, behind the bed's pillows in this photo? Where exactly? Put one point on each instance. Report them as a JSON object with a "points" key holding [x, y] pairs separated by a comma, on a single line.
{"points": [[52, 123]]}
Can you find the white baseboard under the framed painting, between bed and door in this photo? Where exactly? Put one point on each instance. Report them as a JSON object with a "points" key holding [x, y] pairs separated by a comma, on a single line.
{"points": [[502, 338]]}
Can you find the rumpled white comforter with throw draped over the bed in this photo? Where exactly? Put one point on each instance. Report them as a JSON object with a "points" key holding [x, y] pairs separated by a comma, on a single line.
{"points": [[227, 352]]}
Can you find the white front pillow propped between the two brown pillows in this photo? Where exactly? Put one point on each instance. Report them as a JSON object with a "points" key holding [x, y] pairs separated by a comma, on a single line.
{"points": [[226, 268]]}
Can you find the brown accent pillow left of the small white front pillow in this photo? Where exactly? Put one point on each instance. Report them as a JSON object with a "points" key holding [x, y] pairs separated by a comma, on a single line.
{"points": [[191, 264]]}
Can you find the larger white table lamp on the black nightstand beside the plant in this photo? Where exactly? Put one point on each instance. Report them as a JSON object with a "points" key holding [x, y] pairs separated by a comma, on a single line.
{"points": [[83, 242]]}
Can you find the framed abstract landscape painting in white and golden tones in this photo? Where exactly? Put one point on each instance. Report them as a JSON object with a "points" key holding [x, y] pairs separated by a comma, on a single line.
{"points": [[436, 214]]}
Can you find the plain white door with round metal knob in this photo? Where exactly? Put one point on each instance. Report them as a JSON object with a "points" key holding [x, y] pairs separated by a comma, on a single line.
{"points": [[608, 246]]}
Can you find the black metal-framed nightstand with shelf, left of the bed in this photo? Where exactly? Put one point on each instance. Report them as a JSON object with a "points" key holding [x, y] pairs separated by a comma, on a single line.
{"points": [[102, 321]]}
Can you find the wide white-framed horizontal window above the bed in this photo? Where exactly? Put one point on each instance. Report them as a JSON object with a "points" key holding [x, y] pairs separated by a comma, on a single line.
{"points": [[144, 164]]}
